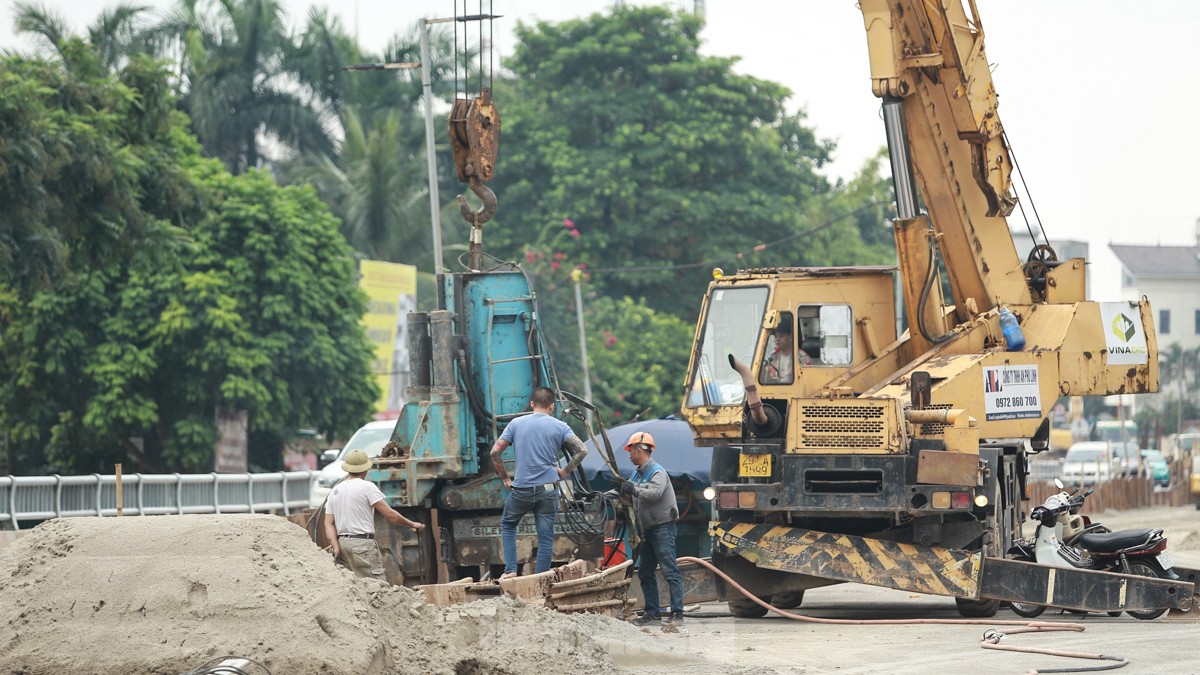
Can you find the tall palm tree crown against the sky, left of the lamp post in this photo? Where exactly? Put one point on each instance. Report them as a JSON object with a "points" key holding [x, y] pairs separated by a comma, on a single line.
{"points": [[235, 82]]}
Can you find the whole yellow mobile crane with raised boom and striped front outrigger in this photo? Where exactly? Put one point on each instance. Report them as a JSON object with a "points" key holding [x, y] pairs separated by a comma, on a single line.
{"points": [[850, 453]]}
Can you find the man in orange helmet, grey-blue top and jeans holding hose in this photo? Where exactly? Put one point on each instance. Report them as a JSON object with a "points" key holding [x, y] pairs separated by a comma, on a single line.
{"points": [[655, 503]]}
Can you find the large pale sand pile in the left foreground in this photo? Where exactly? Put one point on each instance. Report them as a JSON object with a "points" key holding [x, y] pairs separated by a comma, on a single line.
{"points": [[167, 594]]}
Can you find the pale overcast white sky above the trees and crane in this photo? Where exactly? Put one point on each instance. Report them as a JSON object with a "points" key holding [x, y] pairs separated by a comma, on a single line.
{"points": [[1100, 99]]}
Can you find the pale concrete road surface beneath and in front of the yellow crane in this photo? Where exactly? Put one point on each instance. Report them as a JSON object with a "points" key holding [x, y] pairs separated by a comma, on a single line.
{"points": [[715, 642]]}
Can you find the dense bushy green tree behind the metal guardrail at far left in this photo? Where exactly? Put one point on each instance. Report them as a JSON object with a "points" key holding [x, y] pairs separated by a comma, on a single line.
{"points": [[145, 288]]}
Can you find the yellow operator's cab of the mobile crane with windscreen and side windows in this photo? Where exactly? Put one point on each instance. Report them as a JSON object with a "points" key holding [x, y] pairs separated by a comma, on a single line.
{"points": [[797, 328]]}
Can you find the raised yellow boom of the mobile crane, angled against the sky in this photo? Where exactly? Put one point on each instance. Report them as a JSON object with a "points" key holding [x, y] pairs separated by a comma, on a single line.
{"points": [[928, 65]]}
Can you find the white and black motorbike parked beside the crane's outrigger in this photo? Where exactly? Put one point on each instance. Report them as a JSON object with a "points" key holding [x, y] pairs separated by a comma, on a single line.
{"points": [[1065, 539]]}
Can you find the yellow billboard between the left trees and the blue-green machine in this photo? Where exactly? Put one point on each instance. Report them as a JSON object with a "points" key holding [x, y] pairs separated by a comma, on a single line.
{"points": [[392, 295]]}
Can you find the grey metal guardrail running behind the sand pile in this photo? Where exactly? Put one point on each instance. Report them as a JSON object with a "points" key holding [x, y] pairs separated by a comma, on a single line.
{"points": [[41, 498]]}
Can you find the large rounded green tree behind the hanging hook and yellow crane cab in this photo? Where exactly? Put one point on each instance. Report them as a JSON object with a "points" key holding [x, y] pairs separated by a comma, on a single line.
{"points": [[662, 157]]}
